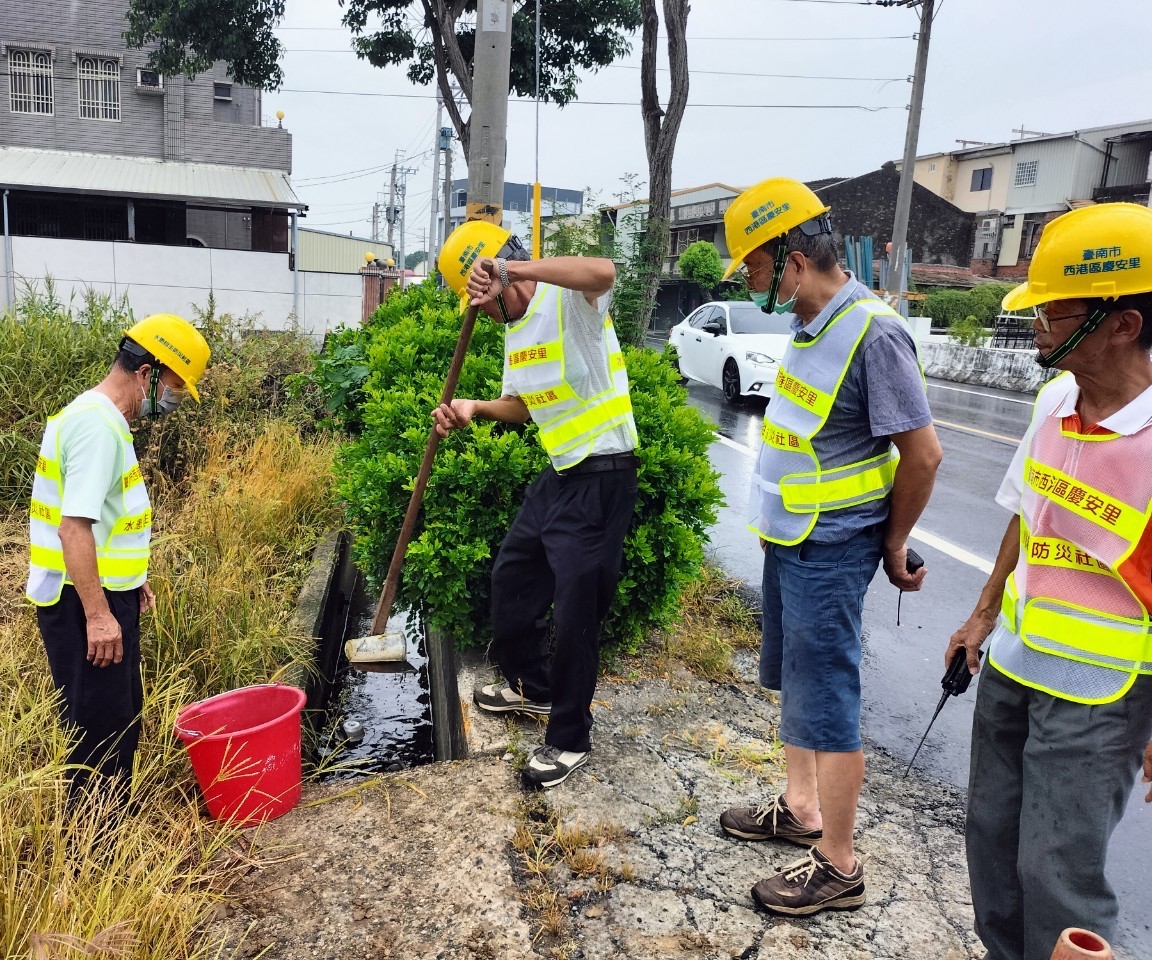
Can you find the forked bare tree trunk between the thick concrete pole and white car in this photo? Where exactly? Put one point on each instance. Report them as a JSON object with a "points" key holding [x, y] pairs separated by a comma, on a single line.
{"points": [[661, 131]]}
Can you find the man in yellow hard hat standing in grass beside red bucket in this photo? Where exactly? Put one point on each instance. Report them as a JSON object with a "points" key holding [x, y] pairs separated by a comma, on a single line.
{"points": [[89, 530]]}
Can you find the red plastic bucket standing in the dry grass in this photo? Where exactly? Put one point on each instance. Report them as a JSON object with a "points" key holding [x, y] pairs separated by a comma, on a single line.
{"points": [[245, 749]]}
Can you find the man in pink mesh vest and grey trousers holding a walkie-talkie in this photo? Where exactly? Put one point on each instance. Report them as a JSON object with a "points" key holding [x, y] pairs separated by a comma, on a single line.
{"points": [[1064, 713]]}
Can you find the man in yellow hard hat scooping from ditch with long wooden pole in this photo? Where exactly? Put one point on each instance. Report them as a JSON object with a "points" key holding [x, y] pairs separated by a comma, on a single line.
{"points": [[565, 371]]}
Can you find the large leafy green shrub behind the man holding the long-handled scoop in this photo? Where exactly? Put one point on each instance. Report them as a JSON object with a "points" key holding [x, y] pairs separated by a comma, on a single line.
{"points": [[481, 474]]}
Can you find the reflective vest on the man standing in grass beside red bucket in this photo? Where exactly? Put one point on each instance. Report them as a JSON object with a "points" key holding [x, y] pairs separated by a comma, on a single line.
{"points": [[122, 554]]}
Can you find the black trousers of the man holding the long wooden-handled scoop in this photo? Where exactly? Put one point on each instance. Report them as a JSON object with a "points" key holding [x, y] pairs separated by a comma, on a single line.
{"points": [[564, 553]]}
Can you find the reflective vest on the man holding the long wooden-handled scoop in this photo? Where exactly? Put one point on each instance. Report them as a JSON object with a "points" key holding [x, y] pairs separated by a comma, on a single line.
{"points": [[569, 410]]}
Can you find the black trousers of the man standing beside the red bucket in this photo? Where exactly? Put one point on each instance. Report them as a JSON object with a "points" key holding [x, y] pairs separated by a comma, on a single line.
{"points": [[102, 705]]}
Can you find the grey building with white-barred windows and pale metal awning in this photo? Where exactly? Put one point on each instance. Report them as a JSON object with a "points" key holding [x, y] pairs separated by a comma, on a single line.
{"points": [[72, 90]]}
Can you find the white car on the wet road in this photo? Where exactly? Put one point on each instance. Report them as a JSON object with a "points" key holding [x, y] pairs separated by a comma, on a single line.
{"points": [[732, 345]]}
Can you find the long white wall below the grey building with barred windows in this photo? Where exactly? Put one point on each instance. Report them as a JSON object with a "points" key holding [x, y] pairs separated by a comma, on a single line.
{"points": [[173, 279]]}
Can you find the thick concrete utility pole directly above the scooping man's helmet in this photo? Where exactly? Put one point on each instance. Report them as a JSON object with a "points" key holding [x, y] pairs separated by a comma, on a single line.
{"points": [[490, 111]]}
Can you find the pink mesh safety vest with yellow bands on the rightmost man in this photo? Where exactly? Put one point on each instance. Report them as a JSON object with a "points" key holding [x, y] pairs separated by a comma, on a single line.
{"points": [[1074, 621]]}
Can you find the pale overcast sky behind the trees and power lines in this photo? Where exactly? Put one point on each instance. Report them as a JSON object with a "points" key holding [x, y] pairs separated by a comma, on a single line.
{"points": [[995, 65]]}
